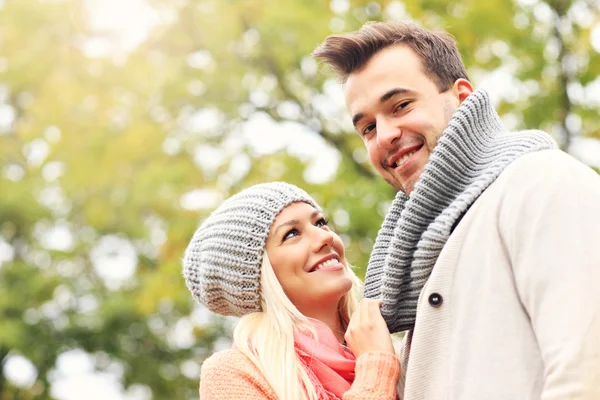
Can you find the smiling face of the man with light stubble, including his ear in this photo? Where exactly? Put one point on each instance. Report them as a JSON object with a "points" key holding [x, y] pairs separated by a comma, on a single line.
{"points": [[400, 113]]}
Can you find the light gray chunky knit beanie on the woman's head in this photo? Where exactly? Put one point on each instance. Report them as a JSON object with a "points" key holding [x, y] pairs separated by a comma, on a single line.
{"points": [[222, 262]]}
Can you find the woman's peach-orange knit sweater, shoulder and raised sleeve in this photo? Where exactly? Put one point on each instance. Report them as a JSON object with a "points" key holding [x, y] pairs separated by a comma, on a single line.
{"points": [[231, 375]]}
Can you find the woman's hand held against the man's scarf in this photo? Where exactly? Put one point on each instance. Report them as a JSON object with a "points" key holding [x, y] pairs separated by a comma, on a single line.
{"points": [[367, 330]]}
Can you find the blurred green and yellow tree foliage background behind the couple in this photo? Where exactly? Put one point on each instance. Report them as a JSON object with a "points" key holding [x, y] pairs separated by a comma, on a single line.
{"points": [[123, 123]]}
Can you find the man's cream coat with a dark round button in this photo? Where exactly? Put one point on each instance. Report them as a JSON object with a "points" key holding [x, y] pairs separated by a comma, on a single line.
{"points": [[519, 282]]}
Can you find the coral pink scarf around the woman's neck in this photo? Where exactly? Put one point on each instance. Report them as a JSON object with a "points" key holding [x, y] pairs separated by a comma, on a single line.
{"points": [[326, 360]]}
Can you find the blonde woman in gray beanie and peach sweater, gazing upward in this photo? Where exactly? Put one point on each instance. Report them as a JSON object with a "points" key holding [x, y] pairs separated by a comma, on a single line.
{"points": [[267, 255]]}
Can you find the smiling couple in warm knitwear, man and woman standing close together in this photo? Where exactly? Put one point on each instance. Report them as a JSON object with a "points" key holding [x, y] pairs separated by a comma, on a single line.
{"points": [[488, 256]]}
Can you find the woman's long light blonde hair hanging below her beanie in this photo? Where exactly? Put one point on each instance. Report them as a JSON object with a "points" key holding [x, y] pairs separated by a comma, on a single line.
{"points": [[267, 337]]}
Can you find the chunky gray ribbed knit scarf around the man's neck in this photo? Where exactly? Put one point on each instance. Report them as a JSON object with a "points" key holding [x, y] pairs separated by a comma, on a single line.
{"points": [[472, 151]]}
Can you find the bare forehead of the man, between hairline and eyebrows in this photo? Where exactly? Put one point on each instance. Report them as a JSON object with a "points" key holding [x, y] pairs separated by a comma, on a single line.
{"points": [[396, 66]]}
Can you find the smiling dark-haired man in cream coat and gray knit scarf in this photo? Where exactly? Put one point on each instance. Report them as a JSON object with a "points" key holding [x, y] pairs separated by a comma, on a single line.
{"points": [[490, 253]]}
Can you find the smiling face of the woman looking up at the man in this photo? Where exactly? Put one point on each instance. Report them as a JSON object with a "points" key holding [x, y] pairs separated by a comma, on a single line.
{"points": [[308, 258]]}
